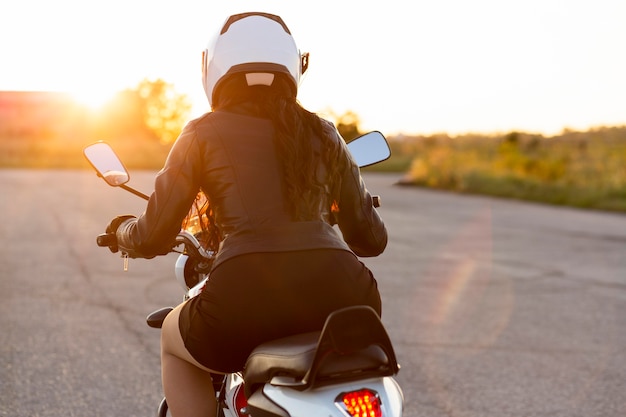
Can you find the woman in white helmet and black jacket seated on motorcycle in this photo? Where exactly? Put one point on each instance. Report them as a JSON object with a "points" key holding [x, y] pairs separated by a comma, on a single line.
{"points": [[277, 178]]}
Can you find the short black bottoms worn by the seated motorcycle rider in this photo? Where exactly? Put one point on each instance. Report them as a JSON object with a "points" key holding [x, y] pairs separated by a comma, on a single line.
{"points": [[254, 298]]}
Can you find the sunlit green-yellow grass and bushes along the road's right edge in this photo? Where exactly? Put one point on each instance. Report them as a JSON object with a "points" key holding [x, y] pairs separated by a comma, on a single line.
{"points": [[578, 169]]}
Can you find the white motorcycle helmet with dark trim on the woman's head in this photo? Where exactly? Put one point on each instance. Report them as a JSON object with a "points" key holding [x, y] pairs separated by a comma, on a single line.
{"points": [[257, 44]]}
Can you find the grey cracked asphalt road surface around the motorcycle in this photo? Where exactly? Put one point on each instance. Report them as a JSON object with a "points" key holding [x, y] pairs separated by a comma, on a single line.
{"points": [[495, 307]]}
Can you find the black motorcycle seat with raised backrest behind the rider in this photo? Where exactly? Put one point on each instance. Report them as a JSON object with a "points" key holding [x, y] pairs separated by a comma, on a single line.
{"points": [[337, 353]]}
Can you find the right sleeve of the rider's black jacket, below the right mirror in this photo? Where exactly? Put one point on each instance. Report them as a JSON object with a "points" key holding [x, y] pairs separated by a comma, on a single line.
{"points": [[362, 227]]}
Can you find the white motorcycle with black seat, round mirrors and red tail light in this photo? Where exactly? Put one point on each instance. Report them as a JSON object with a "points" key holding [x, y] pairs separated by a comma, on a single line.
{"points": [[346, 369]]}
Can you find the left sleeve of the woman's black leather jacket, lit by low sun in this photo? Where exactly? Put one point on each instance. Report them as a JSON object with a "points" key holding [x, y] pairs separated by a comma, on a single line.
{"points": [[176, 186]]}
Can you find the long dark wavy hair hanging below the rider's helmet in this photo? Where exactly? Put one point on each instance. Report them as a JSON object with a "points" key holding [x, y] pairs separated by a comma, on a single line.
{"points": [[295, 130]]}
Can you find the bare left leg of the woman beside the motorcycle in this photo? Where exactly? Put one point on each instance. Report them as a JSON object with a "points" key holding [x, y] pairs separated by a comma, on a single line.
{"points": [[187, 384]]}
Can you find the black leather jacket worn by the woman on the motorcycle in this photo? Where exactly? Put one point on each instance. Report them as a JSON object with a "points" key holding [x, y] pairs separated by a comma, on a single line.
{"points": [[231, 157]]}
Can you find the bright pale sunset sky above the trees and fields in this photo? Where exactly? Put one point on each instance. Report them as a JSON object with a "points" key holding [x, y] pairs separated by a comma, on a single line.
{"points": [[404, 67]]}
